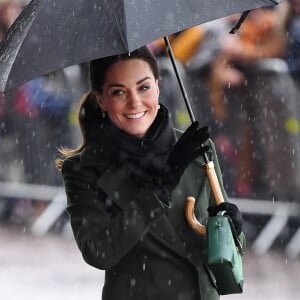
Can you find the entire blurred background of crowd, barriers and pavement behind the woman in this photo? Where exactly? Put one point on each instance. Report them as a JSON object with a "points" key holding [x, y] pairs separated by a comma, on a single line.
{"points": [[245, 86]]}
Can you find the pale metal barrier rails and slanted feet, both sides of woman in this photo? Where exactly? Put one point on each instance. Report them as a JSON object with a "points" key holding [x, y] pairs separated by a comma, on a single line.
{"points": [[279, 214]]}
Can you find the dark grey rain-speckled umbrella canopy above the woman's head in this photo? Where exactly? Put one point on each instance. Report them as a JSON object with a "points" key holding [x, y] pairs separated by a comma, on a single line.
{"points": [[53, 34]]}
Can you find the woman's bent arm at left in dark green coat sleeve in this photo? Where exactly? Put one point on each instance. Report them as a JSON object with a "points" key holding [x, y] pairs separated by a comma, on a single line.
{"points": [[108, 215]]}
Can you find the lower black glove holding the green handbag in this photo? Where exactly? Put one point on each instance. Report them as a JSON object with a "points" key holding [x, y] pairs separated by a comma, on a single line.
{"points": [[231, 210]]}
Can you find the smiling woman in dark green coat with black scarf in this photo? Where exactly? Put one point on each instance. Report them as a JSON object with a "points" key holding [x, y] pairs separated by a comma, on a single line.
{"points": [[127, 183]]}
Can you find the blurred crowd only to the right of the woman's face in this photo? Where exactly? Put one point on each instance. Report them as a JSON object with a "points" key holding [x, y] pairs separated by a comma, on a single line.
{"points": [[245, 86]]}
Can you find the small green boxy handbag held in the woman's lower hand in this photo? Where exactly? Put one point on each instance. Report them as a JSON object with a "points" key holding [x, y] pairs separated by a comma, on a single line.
{"points": [[225, 255]]}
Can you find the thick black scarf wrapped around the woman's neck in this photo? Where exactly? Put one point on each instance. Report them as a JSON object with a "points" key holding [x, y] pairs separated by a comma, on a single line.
{"points": [[145, 155]]}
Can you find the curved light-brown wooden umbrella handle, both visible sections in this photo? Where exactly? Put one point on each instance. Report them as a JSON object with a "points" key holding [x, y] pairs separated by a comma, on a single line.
{"points": [[190, 201]]}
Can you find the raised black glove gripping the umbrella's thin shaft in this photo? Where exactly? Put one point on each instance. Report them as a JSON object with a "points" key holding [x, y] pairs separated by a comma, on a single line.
{"points": [[188, 147]]}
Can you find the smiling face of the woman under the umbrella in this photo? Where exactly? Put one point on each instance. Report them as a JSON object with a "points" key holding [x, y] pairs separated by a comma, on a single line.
{"points": [[130, 96]]}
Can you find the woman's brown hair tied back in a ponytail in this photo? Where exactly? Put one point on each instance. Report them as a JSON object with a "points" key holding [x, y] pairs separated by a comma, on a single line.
{"points": [[89, 111]]}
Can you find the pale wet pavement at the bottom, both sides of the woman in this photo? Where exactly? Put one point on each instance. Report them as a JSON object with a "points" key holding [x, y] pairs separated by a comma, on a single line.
{"points": [[51, 267]]}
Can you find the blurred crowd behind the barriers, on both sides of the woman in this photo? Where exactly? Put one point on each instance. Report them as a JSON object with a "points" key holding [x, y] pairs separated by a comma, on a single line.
{"points": [[243, 85]]}
